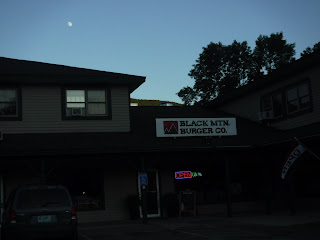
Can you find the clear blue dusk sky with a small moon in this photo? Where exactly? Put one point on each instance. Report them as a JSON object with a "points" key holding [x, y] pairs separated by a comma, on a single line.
{"points": [[157, 39]]}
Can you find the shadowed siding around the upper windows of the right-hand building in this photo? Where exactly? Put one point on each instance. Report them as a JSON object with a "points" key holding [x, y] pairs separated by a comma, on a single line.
{"points": [[248, 106]]}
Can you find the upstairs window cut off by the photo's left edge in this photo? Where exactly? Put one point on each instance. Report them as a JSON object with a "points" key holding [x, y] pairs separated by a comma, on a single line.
{"points": [[9, 104]]}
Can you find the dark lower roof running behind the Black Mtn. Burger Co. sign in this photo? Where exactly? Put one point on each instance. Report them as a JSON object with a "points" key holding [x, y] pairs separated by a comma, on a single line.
{"points": [[142, 138]]}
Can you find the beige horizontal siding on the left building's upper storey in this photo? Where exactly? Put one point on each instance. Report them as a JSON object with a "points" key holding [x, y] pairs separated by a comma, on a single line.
{"points": [[41, 113]]}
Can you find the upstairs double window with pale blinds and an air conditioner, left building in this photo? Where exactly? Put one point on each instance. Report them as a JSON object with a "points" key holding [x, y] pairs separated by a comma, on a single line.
{"points": [[86, 104]]}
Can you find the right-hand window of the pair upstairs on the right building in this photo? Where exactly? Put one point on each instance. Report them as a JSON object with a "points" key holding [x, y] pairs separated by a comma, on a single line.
{"points": [[298, 98]]}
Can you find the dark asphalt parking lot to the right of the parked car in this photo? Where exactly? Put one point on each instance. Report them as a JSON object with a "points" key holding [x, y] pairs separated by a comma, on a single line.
{"points": [[218, 228]]}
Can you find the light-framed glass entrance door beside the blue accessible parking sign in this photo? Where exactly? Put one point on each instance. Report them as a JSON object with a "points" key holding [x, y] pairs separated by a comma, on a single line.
{"points": [[152, 192]]}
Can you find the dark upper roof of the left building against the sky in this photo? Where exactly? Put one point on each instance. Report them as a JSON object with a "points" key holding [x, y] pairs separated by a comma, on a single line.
{"points": [[14, 71]]}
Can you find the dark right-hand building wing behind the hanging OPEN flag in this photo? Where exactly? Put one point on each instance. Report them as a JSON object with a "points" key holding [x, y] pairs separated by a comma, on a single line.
{"points": [[287, 100]]}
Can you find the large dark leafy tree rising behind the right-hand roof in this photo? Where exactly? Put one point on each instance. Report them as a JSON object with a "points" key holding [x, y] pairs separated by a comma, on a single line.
{"points": [[221, 68]]}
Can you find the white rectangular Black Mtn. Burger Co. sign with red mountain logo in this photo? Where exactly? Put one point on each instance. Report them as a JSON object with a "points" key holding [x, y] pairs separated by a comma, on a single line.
{"points": [[195, 127]]}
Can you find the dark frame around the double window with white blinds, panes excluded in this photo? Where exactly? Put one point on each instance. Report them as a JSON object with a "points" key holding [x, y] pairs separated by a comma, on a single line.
{"points": [[107, 90]]}
